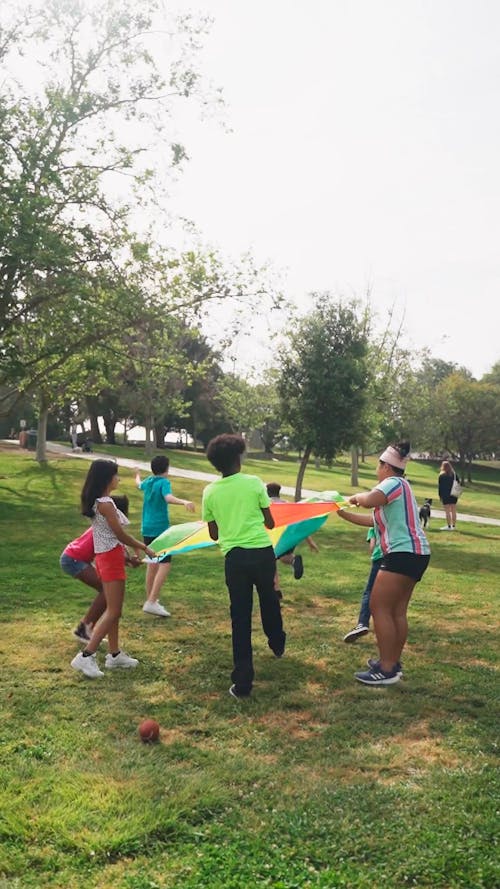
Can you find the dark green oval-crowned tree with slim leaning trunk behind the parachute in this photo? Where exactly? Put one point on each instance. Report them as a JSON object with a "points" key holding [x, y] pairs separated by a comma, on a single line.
{"points": [[323, 379]]}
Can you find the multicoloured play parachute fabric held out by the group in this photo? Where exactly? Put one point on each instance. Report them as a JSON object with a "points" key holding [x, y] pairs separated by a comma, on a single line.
{"points": [[293, 523]]}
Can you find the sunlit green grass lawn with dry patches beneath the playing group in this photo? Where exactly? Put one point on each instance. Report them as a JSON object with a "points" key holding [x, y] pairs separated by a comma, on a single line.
{"points": [[315, 781]]}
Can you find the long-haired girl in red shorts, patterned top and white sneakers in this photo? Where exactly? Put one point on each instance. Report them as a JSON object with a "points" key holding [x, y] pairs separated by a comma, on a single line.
{"points": [[110, 539]]}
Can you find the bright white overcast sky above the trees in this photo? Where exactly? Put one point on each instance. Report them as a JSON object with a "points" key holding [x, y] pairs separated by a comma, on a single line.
{"points": [[365, 152]]}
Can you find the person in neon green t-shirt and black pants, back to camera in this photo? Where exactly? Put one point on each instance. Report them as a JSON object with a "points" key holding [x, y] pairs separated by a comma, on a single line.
{"points": [[236, 508]]}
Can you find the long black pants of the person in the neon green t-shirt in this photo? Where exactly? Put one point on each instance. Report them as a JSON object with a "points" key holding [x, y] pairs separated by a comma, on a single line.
{"points": [[246, 568]]}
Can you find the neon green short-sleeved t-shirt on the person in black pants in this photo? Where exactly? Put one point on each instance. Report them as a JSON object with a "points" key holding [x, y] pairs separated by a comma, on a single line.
{"points": [[236, 504]]}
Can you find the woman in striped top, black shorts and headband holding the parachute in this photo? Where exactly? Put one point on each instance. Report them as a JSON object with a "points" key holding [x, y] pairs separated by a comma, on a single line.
{"points": [[406, 555]]}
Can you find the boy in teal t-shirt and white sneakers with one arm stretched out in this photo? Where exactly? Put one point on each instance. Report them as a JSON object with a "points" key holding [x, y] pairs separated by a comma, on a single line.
{"points": [[157, 492]]}
